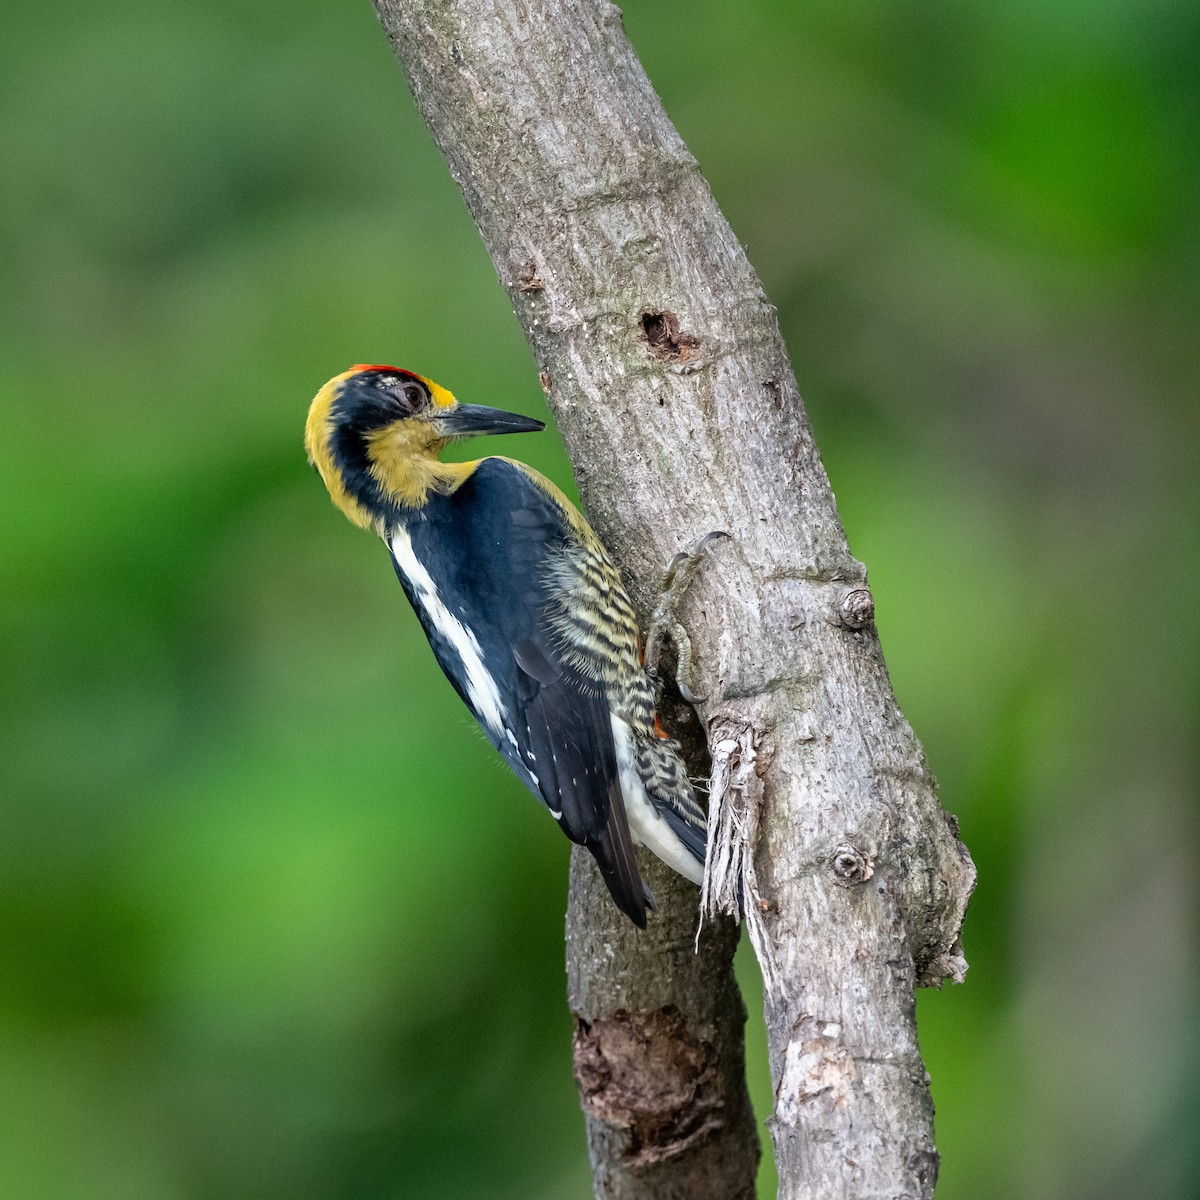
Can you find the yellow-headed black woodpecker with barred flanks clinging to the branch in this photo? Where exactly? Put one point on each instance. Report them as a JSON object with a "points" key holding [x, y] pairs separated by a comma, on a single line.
{"points": [[525, 613]]}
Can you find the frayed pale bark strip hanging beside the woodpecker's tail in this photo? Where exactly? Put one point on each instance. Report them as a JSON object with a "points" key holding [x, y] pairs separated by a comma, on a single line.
{"points": [[735, 806]]}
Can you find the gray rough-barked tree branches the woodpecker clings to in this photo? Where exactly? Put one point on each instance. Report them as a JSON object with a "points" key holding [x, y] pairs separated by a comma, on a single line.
{"points": [[664, 367]]}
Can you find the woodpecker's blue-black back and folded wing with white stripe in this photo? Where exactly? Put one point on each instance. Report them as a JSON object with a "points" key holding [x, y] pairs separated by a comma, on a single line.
{"points": [[485, 599]]}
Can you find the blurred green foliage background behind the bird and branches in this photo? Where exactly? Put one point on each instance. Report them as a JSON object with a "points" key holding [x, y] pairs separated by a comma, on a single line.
{"points": [[274, 922]]}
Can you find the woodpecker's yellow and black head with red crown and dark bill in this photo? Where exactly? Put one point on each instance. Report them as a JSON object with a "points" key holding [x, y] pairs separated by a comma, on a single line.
{"points": [[375, 434]]}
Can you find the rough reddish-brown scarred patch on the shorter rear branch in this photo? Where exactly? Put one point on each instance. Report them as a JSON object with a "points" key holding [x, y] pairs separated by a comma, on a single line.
{"points": [[645, 1072]]}
